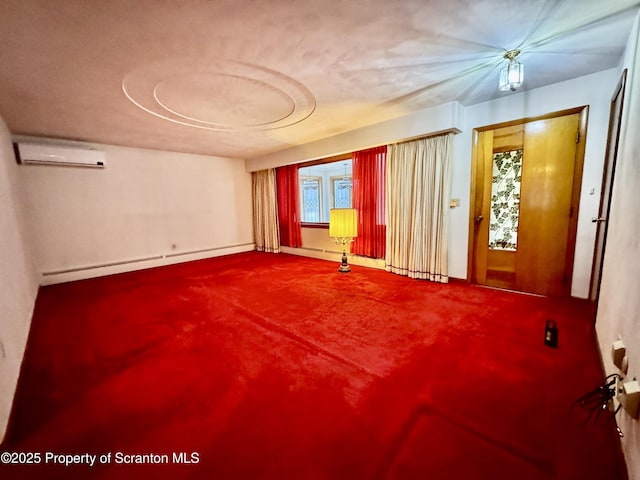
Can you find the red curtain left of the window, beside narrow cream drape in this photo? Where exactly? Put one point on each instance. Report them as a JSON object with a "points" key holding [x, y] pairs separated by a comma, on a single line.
{"points": [[288, 198]]}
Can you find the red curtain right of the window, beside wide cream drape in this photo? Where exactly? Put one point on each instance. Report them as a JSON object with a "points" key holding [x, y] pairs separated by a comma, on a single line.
{"points": [[369, 168]]}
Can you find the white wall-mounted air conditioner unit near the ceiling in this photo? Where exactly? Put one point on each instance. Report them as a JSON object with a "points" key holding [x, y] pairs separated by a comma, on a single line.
{"points": [[44, 154]]}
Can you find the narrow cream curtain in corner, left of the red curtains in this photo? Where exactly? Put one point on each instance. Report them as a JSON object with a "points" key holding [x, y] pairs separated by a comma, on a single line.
{"points": [[265, 211]]}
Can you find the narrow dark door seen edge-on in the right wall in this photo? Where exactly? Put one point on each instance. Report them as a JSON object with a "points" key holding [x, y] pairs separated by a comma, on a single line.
{"points": [[615, 119]]}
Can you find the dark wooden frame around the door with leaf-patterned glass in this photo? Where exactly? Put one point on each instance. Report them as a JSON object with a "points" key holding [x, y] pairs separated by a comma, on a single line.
{"points": [[583, 111]]}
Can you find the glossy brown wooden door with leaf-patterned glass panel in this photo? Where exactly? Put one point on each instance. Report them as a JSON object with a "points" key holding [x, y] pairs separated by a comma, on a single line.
{"points": [[536, 253]]}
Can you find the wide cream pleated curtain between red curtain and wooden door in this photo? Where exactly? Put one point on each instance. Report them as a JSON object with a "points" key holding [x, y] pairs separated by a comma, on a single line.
{"points": [[418, 184]]}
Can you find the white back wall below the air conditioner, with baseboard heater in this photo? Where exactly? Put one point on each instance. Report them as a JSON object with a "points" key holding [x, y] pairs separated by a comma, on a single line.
{"points": [[144, 205]]}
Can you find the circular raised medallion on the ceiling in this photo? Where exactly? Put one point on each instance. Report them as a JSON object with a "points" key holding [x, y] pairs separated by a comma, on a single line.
{"points": [[218, 94]]}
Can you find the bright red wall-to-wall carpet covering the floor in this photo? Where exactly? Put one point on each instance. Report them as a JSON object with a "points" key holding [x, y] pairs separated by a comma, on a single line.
{"points": [[263, 366]]}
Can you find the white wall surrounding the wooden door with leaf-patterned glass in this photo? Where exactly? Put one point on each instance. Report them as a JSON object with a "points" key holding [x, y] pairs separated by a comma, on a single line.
{"points": [[593, 90]]}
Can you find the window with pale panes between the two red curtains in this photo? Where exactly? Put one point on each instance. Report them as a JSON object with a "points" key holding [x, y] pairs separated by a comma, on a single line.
{"points": [[325, 186]]}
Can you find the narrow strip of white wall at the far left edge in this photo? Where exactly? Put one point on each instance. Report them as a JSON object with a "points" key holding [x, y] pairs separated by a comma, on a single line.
{"points": [[18, 276]]}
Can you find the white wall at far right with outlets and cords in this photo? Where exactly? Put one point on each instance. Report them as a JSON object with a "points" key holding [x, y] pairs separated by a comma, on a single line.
{"points": [[618, 314]]}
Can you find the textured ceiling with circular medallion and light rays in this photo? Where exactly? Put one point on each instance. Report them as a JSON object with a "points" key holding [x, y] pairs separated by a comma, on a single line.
{"points": [[243, 78]]}
